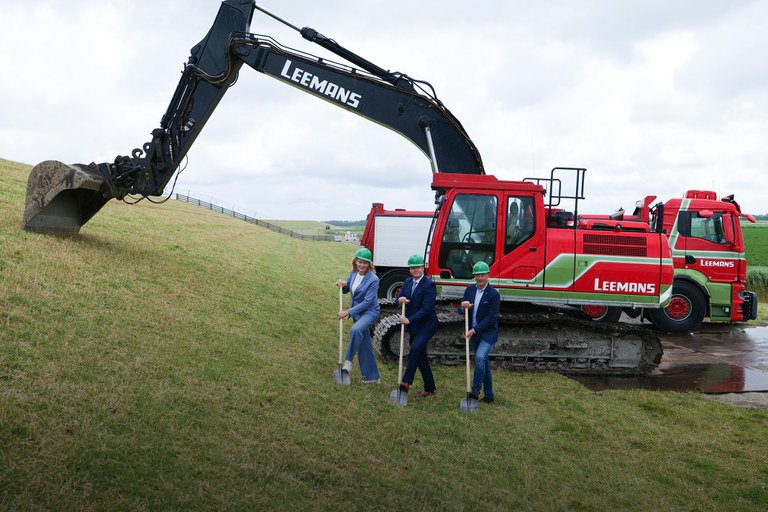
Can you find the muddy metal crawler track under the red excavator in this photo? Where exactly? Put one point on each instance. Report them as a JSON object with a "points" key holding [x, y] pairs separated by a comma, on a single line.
{"points": [[536, 339]]}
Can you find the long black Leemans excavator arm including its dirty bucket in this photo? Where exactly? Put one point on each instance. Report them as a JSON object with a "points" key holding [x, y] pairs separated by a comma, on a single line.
{"points": [[61, 198]]}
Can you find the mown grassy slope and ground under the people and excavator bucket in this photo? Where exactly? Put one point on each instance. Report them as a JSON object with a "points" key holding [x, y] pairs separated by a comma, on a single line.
{"points": [[169, 358]]}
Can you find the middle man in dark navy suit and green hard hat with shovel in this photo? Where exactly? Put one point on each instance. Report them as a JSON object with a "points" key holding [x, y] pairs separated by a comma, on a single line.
{"points": [[419, 294]]}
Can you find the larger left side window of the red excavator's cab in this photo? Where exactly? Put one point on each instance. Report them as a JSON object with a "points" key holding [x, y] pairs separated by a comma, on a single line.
{"points": [[470, 234]]}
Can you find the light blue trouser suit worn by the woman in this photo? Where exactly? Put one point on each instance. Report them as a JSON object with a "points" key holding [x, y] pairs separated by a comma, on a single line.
{"points": [[364, 310]]}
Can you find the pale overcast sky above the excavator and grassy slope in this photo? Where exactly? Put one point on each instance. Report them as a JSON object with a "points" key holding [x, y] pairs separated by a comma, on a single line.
{"points": [[652, 96]]}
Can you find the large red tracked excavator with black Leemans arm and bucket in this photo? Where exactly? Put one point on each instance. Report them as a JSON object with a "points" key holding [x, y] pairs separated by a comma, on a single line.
{"points": [[543, 259]]}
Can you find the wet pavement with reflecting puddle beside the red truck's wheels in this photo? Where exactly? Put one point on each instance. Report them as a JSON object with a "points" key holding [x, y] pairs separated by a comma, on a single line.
{"points": [[715, 359]]}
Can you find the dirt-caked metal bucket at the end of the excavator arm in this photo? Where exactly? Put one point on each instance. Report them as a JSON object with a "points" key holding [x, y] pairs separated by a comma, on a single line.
{"points": [[61, 198]]}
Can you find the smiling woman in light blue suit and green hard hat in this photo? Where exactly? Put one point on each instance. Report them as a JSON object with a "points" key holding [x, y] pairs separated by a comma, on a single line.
{"points": [[363, 284]]}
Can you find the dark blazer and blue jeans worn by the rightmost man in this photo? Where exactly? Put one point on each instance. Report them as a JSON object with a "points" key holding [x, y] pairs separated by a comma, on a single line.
{"points": [[486, 334]]}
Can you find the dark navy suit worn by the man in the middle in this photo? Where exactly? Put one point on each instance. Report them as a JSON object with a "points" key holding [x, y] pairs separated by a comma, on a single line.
{"points": [[420, 312]]}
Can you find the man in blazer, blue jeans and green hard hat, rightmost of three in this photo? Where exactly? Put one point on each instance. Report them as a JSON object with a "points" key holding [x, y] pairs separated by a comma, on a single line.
{"points": [[483, 300]]}
